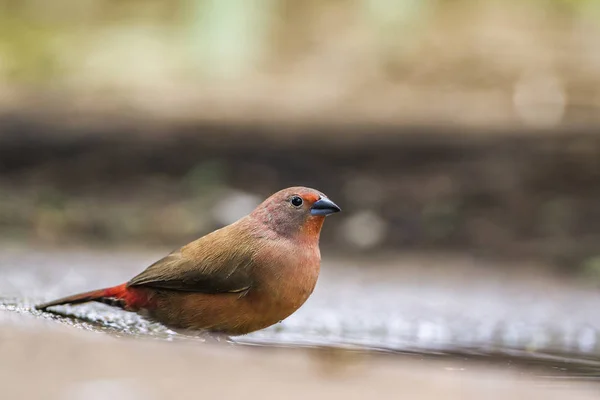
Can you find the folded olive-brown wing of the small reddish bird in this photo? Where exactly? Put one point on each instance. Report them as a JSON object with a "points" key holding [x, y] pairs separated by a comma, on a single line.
{"points": [[209, 265]]}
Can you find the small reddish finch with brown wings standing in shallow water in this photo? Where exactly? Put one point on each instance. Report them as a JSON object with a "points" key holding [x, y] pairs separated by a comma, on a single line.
{"points": [[238, 279]]}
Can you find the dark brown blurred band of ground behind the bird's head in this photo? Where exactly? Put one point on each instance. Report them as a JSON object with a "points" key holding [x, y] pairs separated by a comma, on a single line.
{"points": [[518, 194]]}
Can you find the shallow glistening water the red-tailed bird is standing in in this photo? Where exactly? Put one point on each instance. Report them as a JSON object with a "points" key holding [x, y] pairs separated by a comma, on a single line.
{"points": [[426, 308]]}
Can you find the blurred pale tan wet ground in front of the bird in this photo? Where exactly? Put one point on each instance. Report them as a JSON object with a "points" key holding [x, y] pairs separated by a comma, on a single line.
{"points": [[45, 360]]}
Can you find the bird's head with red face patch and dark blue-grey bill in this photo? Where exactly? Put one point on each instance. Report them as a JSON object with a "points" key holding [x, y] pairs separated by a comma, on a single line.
{"points": [[295, 210]]}
